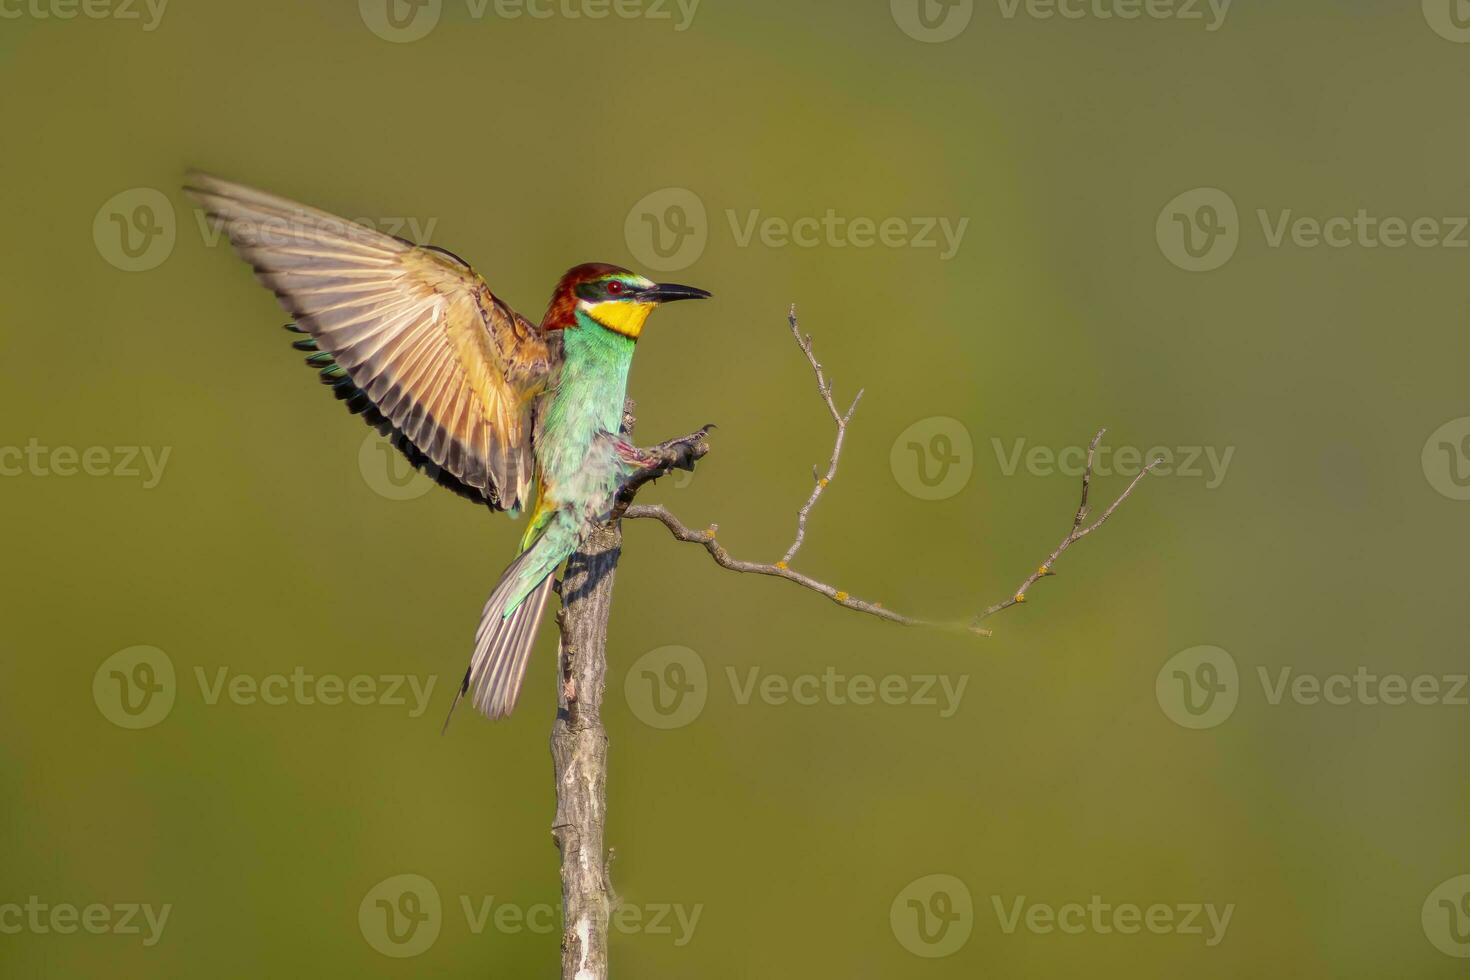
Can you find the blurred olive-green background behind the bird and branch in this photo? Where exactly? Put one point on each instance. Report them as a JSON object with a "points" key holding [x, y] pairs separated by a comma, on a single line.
{"points": [[274, 540]]}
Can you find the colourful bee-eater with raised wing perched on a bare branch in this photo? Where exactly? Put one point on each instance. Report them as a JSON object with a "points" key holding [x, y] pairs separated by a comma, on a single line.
{"points": [[498, 409]]}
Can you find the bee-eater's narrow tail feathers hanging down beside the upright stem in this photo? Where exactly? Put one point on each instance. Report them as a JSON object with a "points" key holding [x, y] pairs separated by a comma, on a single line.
{"points": [[505, 638]]}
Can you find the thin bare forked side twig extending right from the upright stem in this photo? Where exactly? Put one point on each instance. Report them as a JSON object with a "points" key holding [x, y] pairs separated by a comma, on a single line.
{"points": [[783, 569]]}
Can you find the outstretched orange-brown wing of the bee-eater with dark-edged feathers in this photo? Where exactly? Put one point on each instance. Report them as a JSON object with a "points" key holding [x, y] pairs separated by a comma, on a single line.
{"points": [[414, 330]]}
